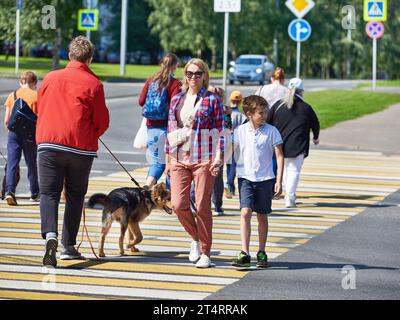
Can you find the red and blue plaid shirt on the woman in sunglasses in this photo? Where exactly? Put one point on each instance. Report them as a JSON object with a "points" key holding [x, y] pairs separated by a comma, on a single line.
{"points": [[208, 123]]}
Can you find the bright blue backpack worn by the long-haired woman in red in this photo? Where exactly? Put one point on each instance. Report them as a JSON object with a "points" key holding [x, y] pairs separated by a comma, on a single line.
{"points": [[156, 106]]}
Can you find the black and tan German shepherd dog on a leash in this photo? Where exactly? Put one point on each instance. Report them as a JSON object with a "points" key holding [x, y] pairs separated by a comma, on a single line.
{"points": [[129, 206]]}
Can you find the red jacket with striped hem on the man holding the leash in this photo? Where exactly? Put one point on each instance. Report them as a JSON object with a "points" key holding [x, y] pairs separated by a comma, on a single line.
{"points": [[72, 113]]}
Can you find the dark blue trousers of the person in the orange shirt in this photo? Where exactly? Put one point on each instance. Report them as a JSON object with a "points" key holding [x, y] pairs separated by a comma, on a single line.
{"points": [[15, 147]]}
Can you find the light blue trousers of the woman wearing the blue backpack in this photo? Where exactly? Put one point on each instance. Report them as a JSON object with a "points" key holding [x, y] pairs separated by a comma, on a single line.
{"points": [[156, 150]]}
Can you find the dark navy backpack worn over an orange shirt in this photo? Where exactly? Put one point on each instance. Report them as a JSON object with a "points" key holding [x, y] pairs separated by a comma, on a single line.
{"points": [[22, 120]]}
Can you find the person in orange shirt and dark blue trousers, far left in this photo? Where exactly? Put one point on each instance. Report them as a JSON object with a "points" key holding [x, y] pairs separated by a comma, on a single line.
{"points": [[17, 144]]}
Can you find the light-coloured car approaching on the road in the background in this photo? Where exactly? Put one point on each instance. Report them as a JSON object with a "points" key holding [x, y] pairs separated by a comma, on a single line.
{"points": [[250, 68]]}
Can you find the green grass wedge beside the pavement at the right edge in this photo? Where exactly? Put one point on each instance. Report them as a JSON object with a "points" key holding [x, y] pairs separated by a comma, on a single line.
{"points": [[336, 106]]}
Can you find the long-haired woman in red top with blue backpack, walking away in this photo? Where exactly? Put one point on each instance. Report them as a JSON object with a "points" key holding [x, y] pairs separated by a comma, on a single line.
{"points": [[157, 94]]}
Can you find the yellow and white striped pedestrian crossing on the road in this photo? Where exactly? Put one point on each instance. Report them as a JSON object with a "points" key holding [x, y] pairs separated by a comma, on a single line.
{"points": [[334, 187]]}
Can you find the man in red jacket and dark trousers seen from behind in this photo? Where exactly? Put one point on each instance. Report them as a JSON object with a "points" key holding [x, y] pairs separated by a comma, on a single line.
{"points": [[72, 115]]}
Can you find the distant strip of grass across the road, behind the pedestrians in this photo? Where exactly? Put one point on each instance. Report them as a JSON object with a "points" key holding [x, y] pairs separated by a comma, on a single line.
{"points": [[105, 71]]}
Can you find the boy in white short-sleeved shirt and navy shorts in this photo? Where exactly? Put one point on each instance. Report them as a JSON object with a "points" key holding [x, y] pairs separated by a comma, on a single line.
{"points": [[257, 142]]}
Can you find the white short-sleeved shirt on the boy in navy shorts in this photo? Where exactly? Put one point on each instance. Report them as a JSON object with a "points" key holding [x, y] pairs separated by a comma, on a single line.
{"points": [[256, 150]]}
